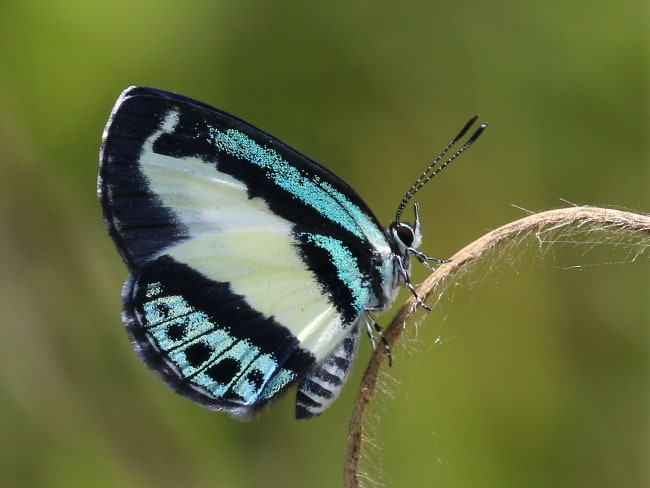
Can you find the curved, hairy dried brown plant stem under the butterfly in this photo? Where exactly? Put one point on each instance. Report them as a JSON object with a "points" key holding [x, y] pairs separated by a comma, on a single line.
{"points": [[595, 217]]}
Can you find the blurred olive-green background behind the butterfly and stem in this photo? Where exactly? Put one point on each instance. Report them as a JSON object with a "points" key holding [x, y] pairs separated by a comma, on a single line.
{"points": [[532, 372]]}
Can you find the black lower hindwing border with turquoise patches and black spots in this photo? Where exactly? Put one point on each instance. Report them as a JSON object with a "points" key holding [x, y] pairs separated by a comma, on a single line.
{"points": [[206, 341]]}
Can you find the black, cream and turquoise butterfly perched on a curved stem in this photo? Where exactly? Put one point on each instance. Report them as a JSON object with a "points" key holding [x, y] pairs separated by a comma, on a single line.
{"points": [[252, 267]]}
